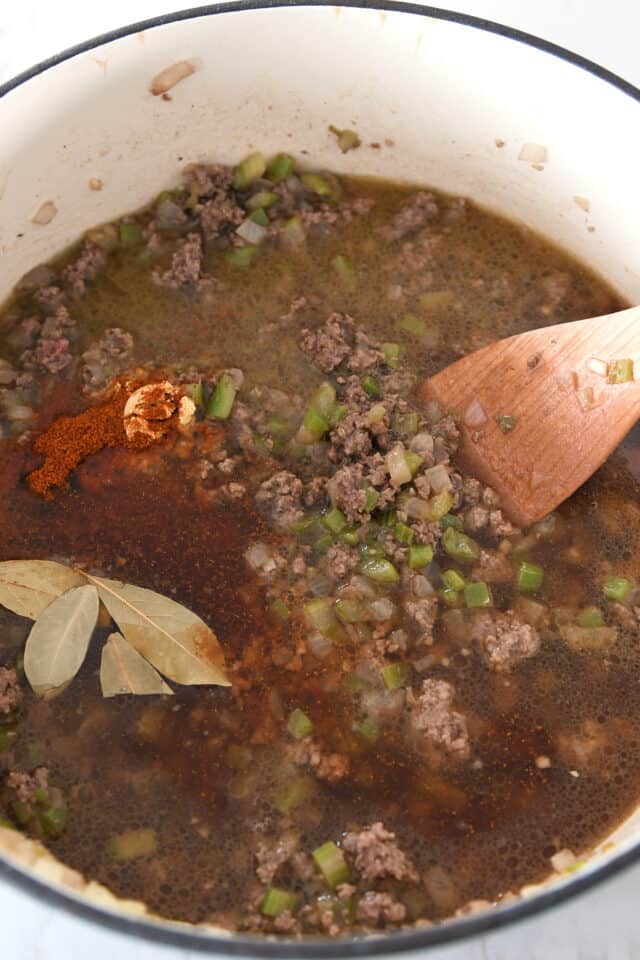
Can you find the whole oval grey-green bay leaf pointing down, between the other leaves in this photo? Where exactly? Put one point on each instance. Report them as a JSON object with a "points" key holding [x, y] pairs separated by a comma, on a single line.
{"points": [[58, 641]]}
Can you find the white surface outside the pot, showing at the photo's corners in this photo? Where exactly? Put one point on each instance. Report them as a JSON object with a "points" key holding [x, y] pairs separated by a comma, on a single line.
{"points": [[601, 925]]}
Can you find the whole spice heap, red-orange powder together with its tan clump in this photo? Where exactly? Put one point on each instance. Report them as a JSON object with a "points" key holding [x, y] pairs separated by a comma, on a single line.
{"points": [[134, 417]]}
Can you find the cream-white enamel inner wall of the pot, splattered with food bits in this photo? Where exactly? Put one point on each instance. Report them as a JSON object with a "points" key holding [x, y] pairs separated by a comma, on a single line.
{"points": [[452, 104]]}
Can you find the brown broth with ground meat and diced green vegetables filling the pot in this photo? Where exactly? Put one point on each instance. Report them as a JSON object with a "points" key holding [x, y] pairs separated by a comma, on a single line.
{"points": [[500, 744]]}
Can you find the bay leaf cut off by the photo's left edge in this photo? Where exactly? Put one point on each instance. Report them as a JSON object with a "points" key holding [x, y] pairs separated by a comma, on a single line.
{"points": [[27, 587]]}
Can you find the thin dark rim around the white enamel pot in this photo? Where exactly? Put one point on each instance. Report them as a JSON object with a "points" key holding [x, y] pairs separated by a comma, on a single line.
{"points": [[452, 931]]}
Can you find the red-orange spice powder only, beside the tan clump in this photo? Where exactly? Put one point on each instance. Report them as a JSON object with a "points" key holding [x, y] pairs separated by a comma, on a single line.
{"points": [[69, 440]]}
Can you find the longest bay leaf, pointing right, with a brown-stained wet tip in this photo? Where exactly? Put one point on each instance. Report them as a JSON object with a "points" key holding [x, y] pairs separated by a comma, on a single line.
{"points": [[176, 641]]}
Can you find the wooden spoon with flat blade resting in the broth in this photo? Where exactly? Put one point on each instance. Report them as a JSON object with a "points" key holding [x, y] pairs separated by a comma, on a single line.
{"points": [[566, 414]]}
